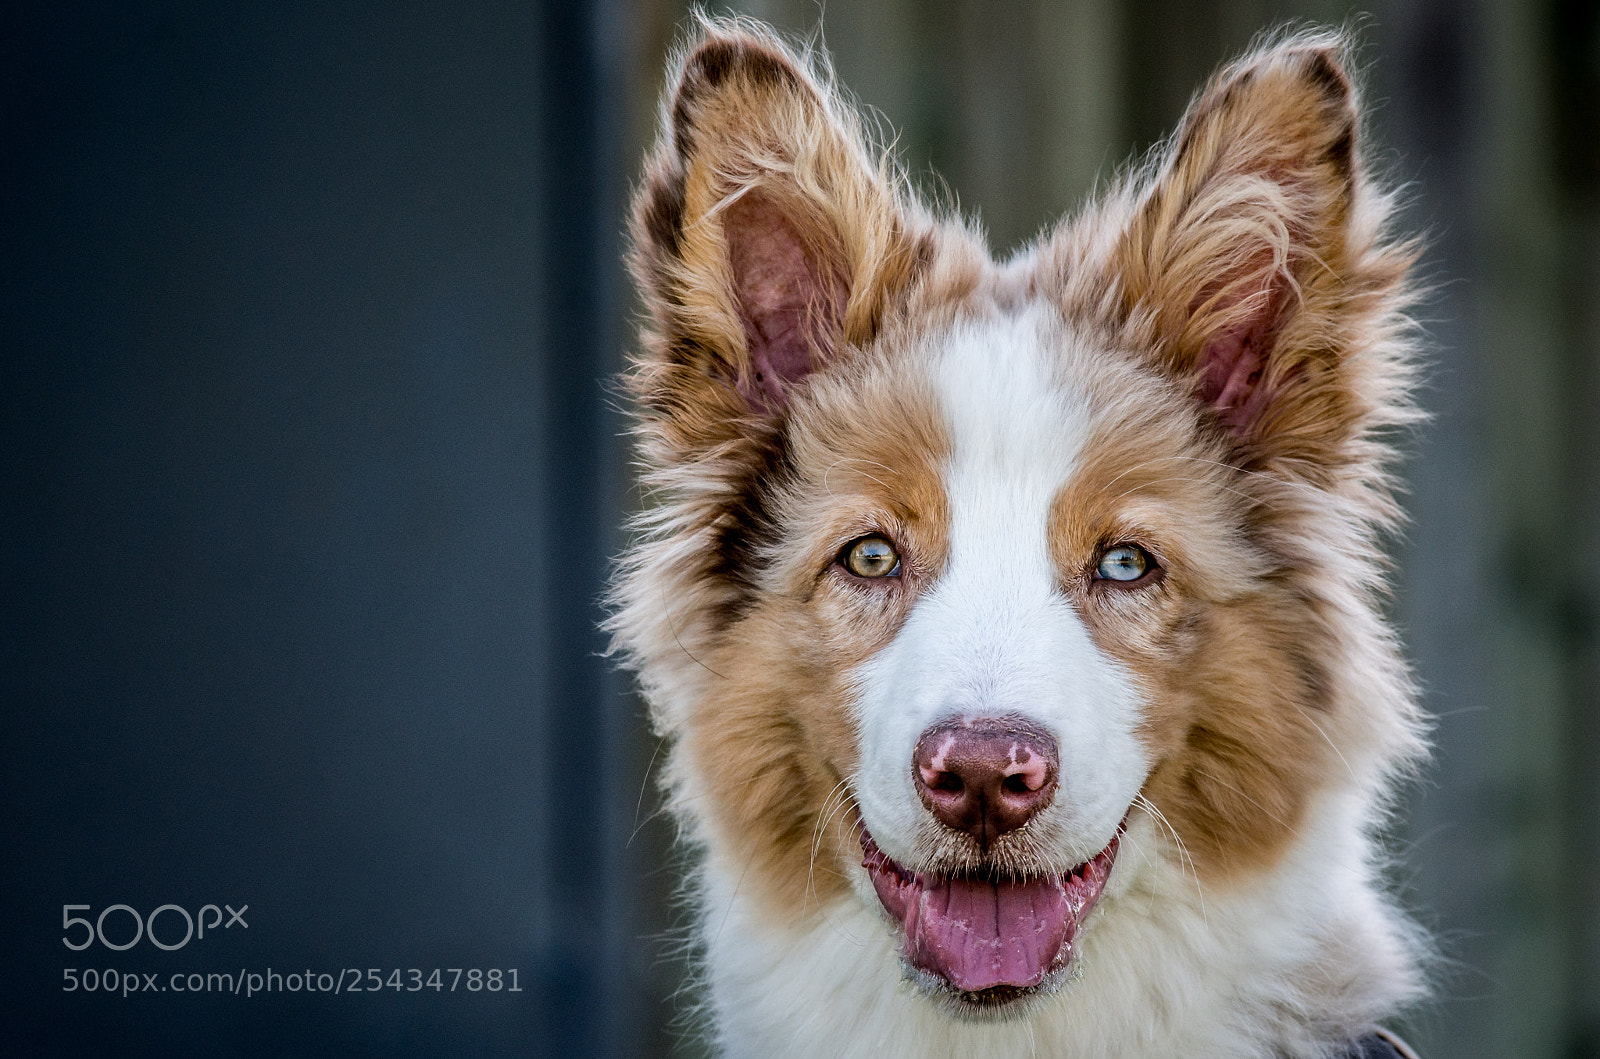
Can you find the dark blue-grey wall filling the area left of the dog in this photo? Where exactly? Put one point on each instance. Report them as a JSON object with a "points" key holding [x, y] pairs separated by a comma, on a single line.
{"points": [[308, 497]]}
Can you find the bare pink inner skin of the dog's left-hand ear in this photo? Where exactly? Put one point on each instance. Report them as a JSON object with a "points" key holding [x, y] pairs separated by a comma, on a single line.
{"points": [[791, 310]]}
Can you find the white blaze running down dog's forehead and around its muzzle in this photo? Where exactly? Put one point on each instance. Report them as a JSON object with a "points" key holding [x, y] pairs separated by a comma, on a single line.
{"points": [[996, 634]]}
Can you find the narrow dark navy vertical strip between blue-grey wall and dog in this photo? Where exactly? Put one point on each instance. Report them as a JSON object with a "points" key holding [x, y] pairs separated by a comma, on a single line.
{"points": [[586, 1004]]}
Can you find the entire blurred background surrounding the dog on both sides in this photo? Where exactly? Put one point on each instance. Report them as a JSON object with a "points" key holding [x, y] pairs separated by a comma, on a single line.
{"points": [[313, 474]]}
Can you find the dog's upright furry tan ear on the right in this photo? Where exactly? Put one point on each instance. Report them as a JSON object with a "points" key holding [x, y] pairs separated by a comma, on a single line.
{"points": [[1257, 265]]}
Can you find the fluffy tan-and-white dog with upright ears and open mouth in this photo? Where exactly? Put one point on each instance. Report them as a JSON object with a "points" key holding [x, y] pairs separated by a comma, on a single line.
{"points": [[1017, 628]]}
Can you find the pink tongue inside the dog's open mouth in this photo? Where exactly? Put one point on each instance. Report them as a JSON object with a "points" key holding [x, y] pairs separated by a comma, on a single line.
{"points": [[982, 935]]}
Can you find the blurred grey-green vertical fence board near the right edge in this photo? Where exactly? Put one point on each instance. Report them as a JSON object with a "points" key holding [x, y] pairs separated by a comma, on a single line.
{"points": [[1522, 767]]}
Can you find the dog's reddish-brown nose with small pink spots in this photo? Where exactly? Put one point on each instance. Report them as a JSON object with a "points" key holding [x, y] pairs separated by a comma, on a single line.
{"points": [[988, 775]]}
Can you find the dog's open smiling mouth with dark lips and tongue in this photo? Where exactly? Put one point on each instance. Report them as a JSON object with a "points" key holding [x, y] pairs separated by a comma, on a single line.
{"points": [[990, 940]]}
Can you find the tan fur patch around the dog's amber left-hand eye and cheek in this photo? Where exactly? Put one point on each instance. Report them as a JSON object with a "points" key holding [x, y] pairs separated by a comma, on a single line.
{"points": [[775, 740]]}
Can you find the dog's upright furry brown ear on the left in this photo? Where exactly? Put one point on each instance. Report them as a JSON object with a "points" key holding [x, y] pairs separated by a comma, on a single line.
{"points": [[767, 236]]}
